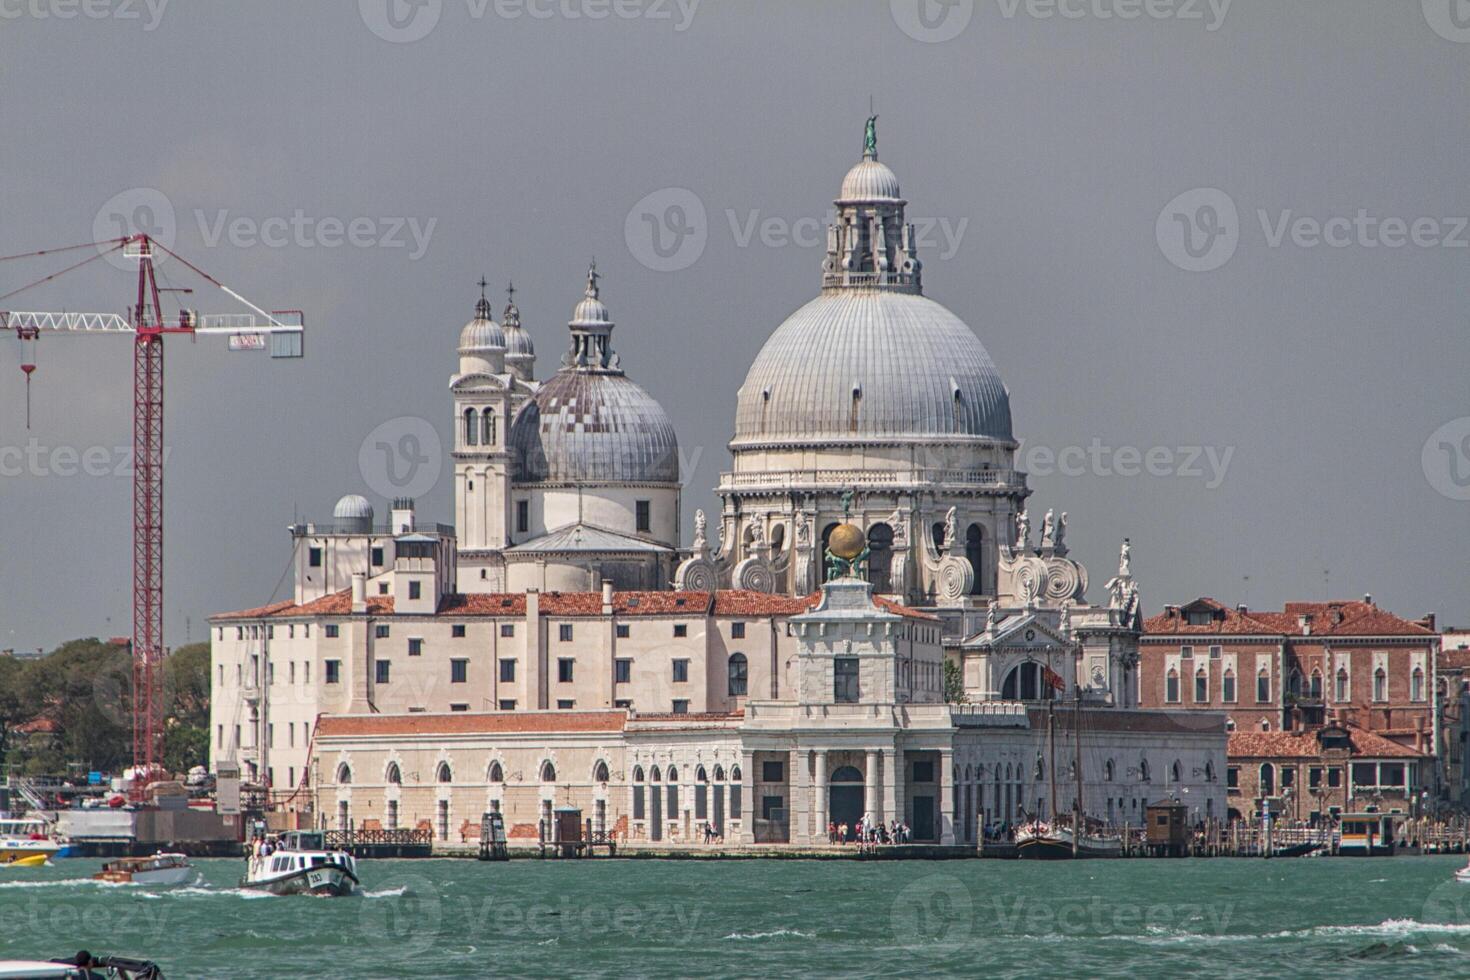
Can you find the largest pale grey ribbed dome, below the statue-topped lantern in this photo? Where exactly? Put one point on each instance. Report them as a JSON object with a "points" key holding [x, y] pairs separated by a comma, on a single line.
{"points": [[871, 364]]}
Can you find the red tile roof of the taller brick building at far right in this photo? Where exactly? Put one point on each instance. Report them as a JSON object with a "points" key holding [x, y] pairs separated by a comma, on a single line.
{"points": [[1353, 618]]}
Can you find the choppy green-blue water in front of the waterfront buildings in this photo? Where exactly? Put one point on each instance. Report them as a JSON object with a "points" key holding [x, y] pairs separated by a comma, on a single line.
{"points": [[1387, 918]]}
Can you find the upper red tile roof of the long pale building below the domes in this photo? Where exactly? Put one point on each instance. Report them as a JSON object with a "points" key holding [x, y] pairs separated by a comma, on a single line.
{"points": [[723, 603]]}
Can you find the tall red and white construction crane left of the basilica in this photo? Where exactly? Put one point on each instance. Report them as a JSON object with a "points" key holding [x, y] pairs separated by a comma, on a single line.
{"points": [[283, 331]]}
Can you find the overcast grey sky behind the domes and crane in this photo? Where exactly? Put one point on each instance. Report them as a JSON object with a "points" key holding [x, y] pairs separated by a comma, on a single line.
{"points": [[1043, 146]]}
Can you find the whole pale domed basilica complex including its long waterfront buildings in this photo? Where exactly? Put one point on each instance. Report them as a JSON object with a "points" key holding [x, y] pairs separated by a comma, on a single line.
{"points": [[561, 646]]}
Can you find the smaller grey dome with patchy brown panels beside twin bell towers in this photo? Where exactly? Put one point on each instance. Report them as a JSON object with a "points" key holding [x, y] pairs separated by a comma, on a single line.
{"points": [[593, 428]]}
